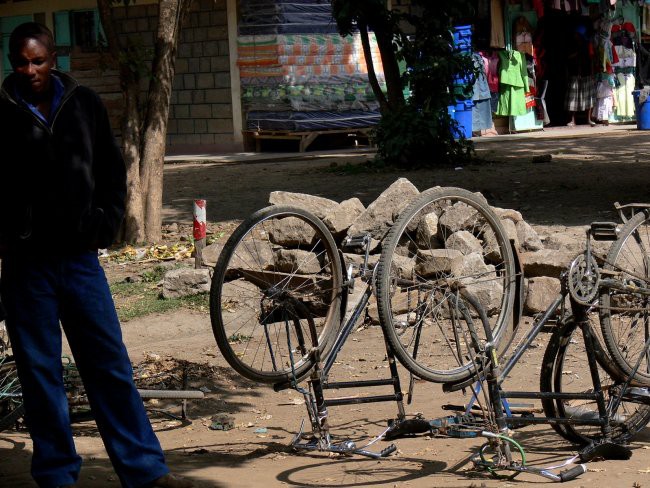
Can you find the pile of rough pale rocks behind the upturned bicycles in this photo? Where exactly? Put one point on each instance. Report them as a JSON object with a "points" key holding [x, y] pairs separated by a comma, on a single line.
{"points": [[543, 257]]}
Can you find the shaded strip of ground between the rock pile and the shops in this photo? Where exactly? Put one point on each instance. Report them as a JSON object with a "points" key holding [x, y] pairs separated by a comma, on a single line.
{"points": [[579, 185]]}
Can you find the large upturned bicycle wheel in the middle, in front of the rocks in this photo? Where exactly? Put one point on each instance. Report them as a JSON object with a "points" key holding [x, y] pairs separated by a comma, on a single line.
{"points": [[446, 239]]}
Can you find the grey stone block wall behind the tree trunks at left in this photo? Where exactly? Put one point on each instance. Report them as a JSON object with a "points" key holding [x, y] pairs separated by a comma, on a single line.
{"points": [[201, 110]]}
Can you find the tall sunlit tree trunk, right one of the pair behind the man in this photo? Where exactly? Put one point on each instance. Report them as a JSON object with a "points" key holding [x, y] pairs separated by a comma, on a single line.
{"points": [[170, 17]]}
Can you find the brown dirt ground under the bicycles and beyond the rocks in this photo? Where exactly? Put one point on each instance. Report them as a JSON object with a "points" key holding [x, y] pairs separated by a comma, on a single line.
{"points": [[579, 185]]}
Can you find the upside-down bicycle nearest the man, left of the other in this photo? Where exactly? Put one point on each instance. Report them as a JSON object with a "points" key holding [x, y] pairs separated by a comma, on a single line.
{"points": [[279, 291]]}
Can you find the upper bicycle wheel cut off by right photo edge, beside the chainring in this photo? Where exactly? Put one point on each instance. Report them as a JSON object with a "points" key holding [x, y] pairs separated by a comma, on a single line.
{"points": [[625, 315]]}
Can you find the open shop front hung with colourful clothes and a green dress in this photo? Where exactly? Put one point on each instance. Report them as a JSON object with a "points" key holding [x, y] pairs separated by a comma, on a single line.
{"points": [[561, 62]]}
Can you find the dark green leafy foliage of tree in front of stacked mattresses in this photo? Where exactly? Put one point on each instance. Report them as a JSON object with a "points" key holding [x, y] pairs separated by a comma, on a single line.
{"points": [[419, 132]]}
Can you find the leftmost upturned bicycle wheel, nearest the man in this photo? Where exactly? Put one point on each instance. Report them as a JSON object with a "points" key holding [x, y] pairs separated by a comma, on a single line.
{"points": [[276, 294]]}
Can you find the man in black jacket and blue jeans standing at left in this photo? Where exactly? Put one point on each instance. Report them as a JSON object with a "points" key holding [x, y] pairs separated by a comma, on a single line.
{"points": [[62, 189]]}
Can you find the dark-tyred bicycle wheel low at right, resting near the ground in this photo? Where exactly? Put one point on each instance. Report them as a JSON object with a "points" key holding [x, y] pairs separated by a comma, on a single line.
{"points": [[565, 369]]}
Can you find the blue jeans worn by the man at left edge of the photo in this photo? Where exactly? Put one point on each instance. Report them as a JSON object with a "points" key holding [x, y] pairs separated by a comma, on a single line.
{"points": [[37, 293]]}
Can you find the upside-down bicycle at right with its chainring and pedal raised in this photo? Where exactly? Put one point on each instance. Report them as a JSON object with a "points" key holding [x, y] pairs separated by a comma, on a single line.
{"points": [[603, 414]]}
